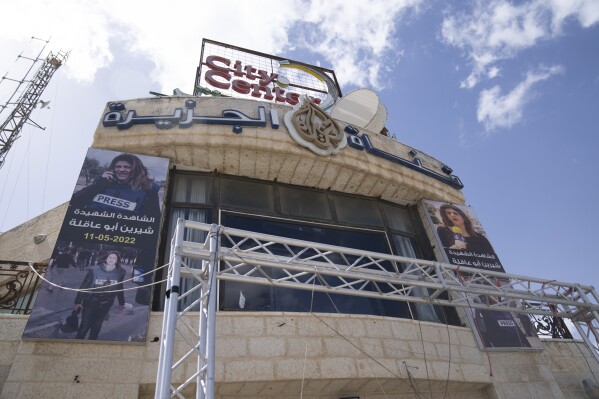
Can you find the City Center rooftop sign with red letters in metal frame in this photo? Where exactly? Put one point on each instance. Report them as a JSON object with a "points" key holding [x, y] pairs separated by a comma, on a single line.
{"points": [[236, 72]]}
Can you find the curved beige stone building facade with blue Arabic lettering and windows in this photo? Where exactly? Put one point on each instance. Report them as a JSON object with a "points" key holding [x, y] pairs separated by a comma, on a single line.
{"points": [[269, 349]]}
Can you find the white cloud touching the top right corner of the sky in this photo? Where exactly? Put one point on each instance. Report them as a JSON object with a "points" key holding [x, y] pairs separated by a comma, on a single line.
{"points": [[498, 29]]}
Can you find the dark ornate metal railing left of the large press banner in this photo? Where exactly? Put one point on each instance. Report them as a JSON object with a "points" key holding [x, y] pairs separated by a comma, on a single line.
{"points": [[18, 286]]}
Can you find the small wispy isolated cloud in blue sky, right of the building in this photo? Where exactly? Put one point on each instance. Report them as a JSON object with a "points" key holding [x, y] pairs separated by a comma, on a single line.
{"points": [[496, 110]]}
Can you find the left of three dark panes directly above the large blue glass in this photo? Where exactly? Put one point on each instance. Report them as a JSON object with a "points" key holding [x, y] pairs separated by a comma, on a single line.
{"points": [[247, 195]]}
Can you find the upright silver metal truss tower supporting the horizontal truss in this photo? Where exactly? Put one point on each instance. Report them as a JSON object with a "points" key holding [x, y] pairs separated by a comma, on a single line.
{"points": [[201, 342]]}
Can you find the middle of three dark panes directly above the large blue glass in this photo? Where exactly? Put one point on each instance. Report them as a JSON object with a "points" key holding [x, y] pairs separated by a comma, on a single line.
{"points": [[295, 202]]}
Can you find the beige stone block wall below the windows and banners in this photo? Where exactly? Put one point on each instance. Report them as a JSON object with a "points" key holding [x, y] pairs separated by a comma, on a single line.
{"points": [[280, 355]]}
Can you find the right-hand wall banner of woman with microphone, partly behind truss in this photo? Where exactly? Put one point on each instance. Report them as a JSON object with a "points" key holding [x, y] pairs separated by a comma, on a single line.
{"points": [[464, 242]]}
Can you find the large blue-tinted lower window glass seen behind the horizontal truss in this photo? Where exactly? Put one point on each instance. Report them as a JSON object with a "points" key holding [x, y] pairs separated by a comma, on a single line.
{"points": [[238, 295]]}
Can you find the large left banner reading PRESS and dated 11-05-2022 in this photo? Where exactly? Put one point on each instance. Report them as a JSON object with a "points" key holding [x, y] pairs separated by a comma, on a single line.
{"points": [[105, 252]]}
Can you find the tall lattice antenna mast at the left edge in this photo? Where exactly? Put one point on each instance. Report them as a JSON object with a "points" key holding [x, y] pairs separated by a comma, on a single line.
{"points": [[10, 129]]}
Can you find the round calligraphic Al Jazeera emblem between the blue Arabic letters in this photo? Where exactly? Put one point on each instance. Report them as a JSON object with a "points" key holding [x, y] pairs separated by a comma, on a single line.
{"points": [[312, 128]]}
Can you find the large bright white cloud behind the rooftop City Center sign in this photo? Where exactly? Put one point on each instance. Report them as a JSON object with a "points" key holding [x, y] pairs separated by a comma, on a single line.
{"points": [[354, 37]]}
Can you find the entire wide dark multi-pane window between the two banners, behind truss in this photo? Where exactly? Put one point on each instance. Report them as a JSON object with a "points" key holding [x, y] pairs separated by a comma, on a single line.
{"points": [[305, 214]]}
